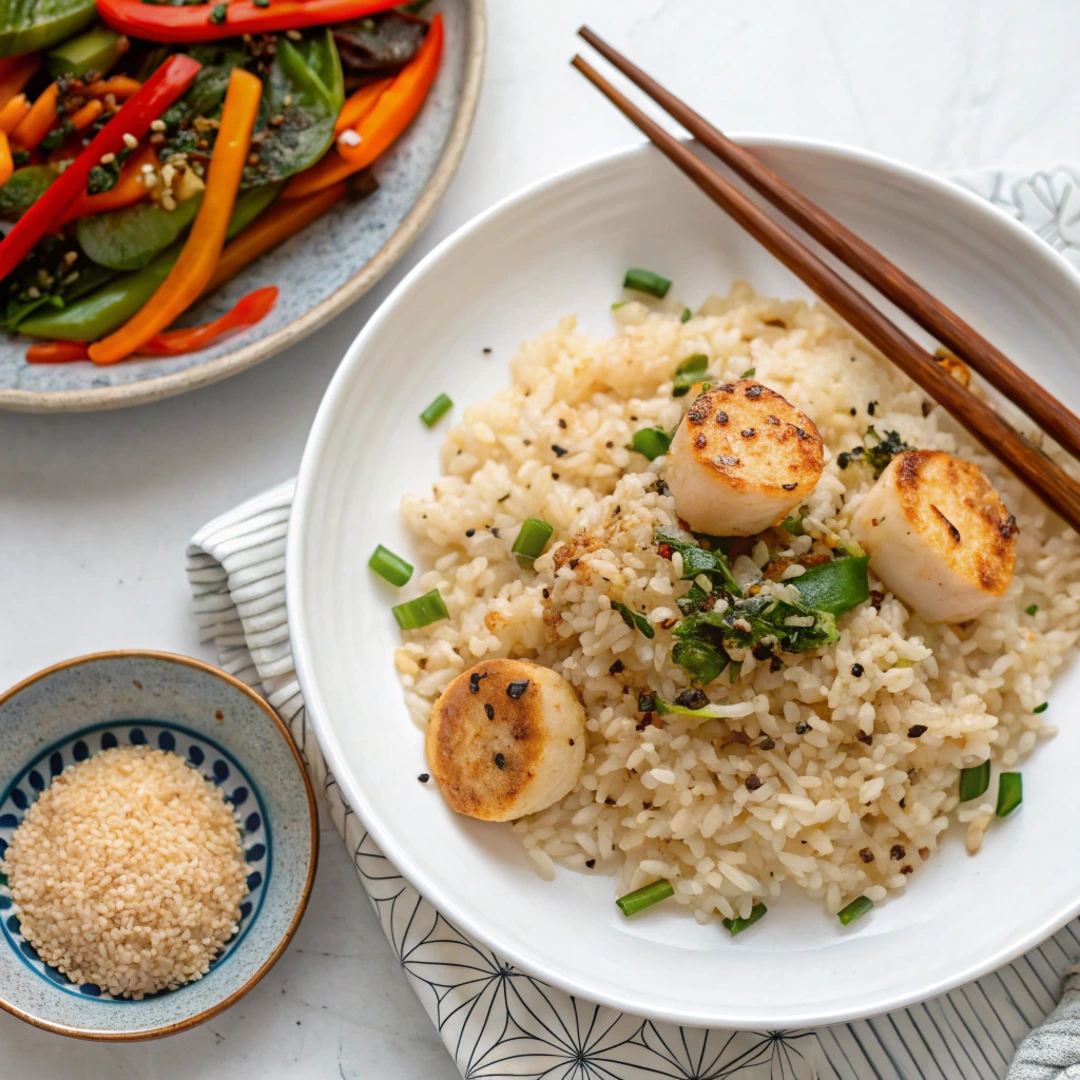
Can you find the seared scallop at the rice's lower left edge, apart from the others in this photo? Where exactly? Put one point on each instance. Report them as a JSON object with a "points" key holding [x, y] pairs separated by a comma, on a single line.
{"points": [[506, 739]]}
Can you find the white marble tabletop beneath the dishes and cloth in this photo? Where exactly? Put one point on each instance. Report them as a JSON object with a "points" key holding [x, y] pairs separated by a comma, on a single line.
{"points": [[96, 510]]}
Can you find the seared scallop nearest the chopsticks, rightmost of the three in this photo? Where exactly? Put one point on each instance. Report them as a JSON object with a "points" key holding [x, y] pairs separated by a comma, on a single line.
{"points": [[938, 535]]}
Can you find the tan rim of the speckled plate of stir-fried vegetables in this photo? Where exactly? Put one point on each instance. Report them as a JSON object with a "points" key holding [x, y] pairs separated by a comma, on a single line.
{"points": [[213, 371]]}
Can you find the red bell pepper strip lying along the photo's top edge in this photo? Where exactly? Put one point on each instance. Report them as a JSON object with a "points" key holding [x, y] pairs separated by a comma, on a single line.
{"points": [[183, 25]]}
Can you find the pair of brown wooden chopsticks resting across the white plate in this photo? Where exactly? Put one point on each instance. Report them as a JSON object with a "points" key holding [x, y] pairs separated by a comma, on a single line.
{"points": [[1051, 483]]}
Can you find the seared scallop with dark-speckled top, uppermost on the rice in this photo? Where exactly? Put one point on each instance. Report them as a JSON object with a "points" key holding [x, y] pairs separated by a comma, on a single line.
{"points": [[742, 458]]}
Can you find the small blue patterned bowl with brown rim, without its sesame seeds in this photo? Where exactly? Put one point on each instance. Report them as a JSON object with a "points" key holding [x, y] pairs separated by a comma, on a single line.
{"points": [[67, 713]]}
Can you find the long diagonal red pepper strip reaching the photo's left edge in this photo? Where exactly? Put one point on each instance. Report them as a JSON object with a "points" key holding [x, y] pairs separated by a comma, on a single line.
{"points": [[137, 115]]}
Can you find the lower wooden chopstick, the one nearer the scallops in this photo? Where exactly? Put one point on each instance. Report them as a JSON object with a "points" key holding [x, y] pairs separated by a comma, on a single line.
{"points": [[1048, 480]]}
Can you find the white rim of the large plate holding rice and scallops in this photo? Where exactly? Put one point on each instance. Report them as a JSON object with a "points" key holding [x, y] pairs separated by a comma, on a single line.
{"points": [[548, 970]]}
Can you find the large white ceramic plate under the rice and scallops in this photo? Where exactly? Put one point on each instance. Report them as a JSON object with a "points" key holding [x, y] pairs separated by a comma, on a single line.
{"points": [[562, 247]]}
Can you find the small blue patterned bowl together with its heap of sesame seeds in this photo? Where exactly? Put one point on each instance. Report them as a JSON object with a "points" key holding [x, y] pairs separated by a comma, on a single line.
{"points": [[158, 844]]}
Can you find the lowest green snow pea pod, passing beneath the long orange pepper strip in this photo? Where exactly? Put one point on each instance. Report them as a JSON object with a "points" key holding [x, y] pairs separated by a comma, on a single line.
{"points": [[105, 310]]}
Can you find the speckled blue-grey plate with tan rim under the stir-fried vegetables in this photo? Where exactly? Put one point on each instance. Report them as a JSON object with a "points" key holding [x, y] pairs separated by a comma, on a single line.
{"points": [[327, 267]]}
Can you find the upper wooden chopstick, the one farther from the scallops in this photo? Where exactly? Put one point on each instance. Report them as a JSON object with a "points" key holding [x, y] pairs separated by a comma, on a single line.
{"points": [[867, 261]]}
